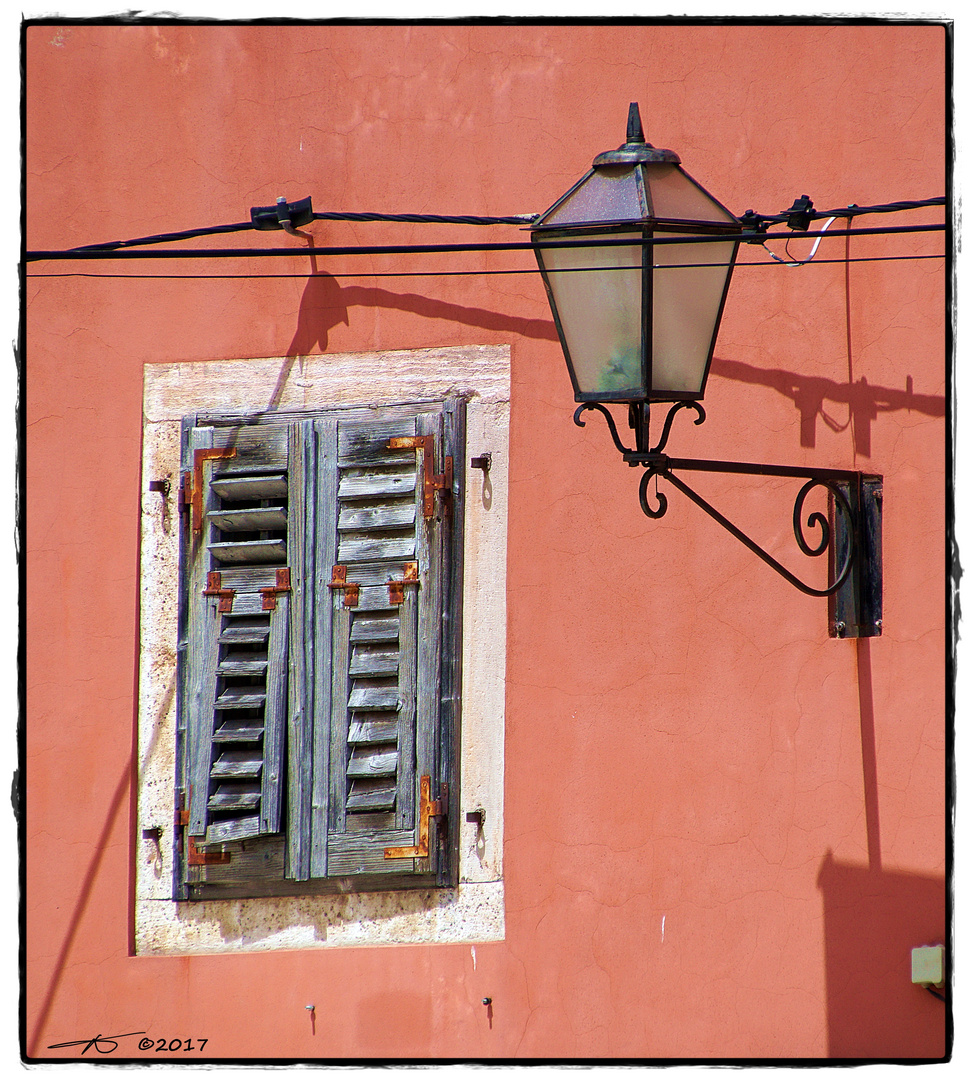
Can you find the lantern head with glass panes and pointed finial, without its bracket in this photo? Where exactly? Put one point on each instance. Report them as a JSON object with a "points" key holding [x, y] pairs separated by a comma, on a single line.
{"points": [[638, 309]]}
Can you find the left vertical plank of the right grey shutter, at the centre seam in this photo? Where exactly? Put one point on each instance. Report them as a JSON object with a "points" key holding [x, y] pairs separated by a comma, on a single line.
{"points": [[322, 519]]}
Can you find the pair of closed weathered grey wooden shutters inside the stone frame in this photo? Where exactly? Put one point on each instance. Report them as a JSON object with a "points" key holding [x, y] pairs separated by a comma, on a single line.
{"points": [[319, 669]]}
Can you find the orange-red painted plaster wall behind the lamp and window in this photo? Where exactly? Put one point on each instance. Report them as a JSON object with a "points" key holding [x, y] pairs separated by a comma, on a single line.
{"points": [[724, 831]]}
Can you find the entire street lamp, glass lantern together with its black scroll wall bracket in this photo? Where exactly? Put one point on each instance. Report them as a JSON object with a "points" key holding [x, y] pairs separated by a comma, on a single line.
{"points": [[637, 260]]}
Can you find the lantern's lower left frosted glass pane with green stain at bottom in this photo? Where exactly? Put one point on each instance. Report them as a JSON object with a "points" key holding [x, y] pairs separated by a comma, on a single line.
{"points": [[600, 312]]}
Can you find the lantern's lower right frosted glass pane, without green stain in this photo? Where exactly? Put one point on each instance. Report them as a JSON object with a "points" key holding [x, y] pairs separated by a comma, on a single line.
{"points": [[688, 286]]}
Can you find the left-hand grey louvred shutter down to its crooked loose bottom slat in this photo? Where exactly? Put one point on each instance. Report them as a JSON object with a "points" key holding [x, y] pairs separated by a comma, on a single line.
{"points": [[237, 539]]}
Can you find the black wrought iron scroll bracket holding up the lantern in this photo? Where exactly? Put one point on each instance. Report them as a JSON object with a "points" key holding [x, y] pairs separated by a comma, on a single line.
{"points": [[850, 534]]}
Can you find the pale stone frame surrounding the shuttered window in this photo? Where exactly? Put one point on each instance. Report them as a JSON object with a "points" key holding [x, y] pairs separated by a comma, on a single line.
{"points": [[475, 911]]}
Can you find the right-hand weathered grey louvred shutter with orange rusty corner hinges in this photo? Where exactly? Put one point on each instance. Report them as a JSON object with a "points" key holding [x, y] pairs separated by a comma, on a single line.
{"points": [[380, 630]]}
